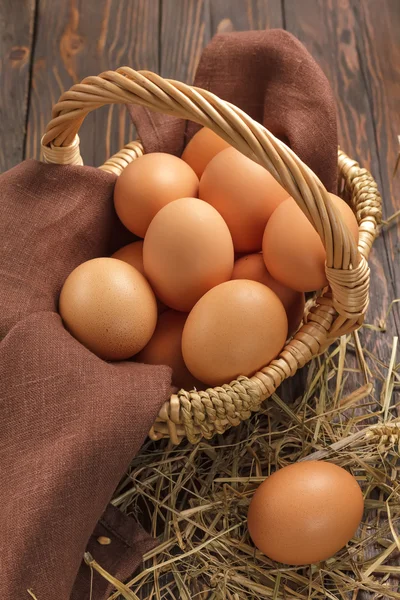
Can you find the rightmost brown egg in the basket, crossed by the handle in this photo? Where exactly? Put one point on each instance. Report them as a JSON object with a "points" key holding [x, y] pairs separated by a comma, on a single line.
{"points": [[292, 249]]}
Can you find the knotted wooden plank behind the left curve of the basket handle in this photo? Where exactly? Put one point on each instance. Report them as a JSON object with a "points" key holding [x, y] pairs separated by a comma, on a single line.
{"points": [[86, 39]]}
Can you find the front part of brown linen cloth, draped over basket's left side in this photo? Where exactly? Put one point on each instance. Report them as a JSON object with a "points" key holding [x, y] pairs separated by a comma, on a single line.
{"points": [[70, 423]]}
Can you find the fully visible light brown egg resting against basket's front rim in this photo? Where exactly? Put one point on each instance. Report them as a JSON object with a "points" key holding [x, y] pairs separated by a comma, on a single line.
{"points": [[235, 329]]}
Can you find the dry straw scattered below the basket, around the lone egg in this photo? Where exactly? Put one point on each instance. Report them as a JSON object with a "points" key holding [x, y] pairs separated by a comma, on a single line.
{"points": [[195, 498]]}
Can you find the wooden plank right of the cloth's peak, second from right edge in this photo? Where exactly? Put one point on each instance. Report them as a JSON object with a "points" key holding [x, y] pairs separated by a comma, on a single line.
{"points": [[328, 30]]}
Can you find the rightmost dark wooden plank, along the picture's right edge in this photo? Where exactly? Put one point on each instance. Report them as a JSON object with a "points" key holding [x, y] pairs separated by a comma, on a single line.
{"points": [[378, 27]]}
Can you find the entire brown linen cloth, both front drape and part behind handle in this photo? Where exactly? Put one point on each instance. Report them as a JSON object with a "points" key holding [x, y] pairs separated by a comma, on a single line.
{"points": [[70, 423]]}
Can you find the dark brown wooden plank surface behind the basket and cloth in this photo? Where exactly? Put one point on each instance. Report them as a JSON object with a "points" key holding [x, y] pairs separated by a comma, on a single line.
{"points": [[47, 45]]}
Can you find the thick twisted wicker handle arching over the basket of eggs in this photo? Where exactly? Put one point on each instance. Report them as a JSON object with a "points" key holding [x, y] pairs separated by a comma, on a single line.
{"points": [[346, 269]]}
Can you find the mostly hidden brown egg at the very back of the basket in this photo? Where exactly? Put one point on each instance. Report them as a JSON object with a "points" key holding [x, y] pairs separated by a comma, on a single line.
{"points": [[204, 145]]}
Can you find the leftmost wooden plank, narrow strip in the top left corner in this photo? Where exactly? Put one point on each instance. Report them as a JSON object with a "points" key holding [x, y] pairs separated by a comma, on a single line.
{"points": [[16, 37]]}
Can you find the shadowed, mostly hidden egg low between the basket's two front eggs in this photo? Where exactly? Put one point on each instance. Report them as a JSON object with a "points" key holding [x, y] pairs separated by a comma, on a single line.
{"points": [[165, 348]]}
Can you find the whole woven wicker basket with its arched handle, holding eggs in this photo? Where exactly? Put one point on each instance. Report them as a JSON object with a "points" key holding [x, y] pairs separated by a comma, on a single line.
{"points": [[337, 310]]}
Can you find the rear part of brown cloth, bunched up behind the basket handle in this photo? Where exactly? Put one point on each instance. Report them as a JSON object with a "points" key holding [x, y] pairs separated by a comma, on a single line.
{"points": [[271, 76]]}
